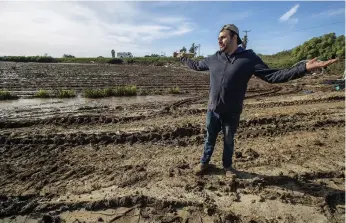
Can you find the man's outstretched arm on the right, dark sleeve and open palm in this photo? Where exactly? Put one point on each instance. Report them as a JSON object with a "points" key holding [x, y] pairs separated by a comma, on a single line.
{"points": [[284, 75]]}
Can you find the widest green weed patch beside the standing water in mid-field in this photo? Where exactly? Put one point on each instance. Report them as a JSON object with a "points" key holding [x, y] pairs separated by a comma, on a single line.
{"points": [[108, 92]]}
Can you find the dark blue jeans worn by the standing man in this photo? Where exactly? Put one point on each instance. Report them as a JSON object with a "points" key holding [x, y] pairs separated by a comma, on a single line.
{"points": [[228, 124]]}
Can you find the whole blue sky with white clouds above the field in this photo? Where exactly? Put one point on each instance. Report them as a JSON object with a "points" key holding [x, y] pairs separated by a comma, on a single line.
{"points": [[91, 29]]}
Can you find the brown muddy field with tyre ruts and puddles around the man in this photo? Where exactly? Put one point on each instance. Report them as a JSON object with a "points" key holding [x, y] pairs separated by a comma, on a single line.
{"points": [[131, 159]]}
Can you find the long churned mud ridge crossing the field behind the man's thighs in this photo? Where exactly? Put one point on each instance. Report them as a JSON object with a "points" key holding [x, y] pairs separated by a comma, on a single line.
{"points": [[191, 133]]}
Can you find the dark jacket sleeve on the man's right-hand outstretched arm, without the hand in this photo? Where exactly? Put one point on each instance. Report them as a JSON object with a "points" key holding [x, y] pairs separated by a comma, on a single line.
{"points": [[262, 71]]}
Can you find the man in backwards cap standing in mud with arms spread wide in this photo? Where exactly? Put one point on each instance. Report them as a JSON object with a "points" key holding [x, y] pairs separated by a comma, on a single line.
{"points": [[230, 71]]}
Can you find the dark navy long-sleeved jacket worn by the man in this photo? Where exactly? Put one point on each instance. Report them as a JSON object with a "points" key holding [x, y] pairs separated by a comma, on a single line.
{"points": [[230, 74]]}
